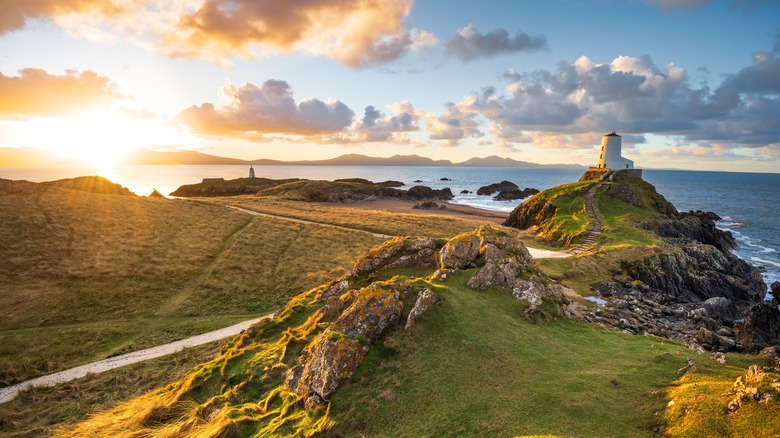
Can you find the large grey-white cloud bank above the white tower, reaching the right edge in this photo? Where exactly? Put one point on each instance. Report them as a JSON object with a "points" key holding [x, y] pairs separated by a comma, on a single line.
{"points": [[570, 107]]}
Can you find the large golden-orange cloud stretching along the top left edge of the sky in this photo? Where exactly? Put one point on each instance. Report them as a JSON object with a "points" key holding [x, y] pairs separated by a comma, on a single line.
{"points": [[357, 33]]}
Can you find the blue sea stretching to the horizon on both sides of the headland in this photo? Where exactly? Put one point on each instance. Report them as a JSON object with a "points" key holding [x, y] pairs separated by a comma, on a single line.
{"points": [[749, 203]]}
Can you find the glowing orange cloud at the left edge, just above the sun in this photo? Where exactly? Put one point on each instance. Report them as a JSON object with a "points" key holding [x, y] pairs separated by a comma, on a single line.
{"points": [[35, 92]]}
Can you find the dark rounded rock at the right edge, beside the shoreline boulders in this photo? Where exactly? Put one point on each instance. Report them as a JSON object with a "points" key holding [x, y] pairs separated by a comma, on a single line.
{"points": [[759, 329]]}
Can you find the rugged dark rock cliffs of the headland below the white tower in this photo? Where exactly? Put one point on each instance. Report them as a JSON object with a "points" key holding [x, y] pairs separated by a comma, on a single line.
{"points": [[688, 286]]}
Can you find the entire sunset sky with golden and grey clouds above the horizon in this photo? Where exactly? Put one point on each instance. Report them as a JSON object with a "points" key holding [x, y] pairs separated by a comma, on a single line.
{"points": [[691, 84]]}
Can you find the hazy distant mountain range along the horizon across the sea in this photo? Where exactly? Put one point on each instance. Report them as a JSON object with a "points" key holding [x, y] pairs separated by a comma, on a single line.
{"points": [[37, 157]]}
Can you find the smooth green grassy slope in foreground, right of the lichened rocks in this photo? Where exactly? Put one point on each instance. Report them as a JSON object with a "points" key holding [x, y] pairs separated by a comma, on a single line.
{"points": [[476, 367]]}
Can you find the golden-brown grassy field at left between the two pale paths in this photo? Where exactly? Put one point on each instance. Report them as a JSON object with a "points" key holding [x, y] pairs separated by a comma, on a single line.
{"points": [[87, 276]]}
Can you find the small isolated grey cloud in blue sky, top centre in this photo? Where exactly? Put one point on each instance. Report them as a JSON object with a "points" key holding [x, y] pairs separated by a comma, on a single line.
{"points": [[468, 44]]}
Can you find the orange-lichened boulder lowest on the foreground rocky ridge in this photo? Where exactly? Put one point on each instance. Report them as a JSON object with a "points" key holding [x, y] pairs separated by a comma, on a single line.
{"points": [[325, 365]]}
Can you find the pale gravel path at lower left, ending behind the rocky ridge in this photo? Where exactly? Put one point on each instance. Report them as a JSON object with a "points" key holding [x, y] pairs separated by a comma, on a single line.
{"points": [[9, 393]]}
